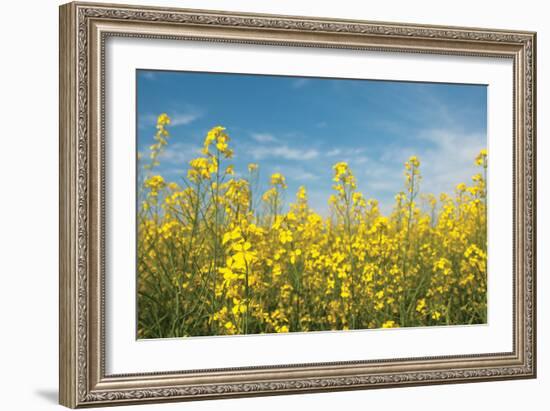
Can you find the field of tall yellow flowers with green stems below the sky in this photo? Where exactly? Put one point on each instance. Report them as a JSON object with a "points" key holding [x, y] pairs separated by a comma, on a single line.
{"points": [[213, 261]]}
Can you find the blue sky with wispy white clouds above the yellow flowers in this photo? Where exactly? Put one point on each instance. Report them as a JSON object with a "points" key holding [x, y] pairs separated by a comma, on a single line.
{"points": [[302, 126]]}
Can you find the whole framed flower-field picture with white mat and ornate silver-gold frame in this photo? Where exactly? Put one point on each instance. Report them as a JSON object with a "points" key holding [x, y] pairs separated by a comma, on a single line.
{"points": [[259, 204]]}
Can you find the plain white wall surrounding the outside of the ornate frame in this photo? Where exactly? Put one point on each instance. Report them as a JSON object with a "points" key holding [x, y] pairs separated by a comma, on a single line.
{"points": [[29, 192]]}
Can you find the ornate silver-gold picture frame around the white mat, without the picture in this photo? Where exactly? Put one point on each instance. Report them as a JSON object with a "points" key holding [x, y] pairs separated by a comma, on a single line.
{"points": [[84, 27]]}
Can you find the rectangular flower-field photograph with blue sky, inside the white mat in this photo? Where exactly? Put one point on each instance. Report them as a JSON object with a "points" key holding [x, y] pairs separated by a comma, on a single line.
{"points": [[270, 204]]}
